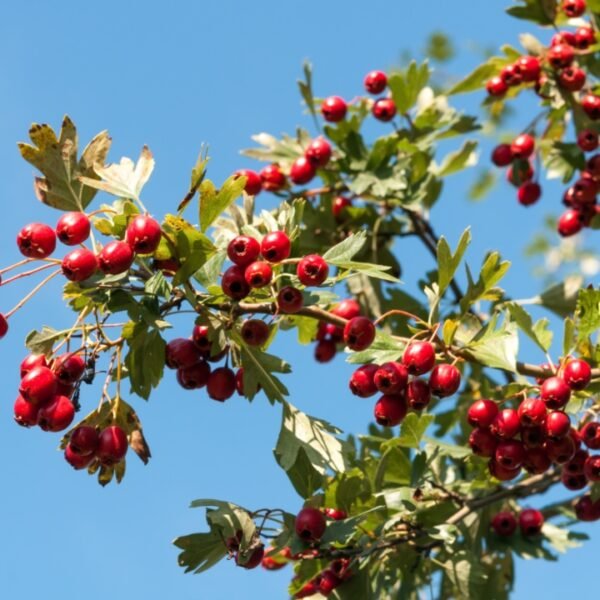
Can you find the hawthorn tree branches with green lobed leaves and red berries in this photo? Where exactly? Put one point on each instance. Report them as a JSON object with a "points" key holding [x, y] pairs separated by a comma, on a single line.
{"points": [[443, 499]]}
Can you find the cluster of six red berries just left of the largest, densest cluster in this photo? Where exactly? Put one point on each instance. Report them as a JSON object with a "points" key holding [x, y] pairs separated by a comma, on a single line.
{"points": [[400, 385]]}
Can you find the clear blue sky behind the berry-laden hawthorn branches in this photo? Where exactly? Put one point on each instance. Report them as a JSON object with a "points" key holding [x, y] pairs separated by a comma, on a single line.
{"points": [[174, 75]]}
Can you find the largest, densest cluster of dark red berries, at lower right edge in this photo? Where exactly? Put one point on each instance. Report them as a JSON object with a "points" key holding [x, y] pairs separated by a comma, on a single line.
{"points": [[538, 433]]}
